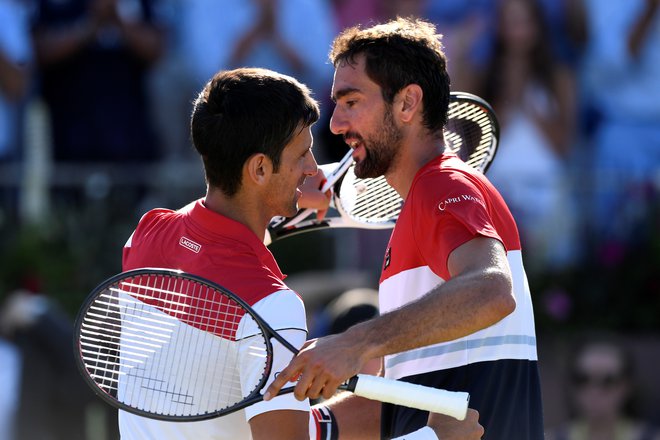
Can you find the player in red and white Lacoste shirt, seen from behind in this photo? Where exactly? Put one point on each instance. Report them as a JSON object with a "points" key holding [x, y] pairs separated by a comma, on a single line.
{"points": [[252, 128]]}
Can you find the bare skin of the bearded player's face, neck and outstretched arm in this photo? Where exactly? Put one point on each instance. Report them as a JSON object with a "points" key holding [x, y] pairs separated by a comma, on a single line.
{"points": [[480, 285]]}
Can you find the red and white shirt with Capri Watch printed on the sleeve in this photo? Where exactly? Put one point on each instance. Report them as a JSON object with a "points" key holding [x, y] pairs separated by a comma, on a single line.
{"points": [[449, 204]]}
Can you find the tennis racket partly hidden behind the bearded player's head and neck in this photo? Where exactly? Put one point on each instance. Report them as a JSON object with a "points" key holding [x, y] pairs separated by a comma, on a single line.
{"points": [[472, 132]]}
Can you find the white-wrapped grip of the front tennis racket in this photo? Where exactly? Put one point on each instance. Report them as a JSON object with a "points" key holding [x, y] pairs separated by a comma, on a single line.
{"points": [[451, 403]]}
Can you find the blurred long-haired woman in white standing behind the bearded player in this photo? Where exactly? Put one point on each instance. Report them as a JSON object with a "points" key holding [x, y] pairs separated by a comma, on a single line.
{"points": [[533, 96]]}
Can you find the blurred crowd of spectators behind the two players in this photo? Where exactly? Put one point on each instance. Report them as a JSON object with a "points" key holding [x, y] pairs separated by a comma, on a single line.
{"points": [[95, 98]]}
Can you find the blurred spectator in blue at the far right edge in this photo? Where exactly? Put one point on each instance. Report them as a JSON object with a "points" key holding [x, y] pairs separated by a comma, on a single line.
{"points": [[621, 83]]}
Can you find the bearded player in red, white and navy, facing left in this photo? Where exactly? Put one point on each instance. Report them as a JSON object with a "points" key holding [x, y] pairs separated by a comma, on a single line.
{"points": [[456, 310]]}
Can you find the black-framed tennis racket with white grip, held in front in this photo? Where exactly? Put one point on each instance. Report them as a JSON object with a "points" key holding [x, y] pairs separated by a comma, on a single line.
{"points": [[171, 346]]}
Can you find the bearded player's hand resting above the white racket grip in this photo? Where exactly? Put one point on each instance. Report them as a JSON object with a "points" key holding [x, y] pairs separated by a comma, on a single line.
{"points": [[320, 367]]}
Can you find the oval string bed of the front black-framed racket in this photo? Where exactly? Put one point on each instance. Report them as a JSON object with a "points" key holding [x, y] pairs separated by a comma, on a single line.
{"points": [[165, 348]]}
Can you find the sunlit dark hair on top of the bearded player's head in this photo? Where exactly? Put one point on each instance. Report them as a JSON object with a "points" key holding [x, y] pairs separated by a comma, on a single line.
{"points": [[398, 53]]}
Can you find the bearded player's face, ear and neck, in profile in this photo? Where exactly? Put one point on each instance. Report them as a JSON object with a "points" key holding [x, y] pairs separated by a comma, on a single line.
{"points": [[379, 132]]}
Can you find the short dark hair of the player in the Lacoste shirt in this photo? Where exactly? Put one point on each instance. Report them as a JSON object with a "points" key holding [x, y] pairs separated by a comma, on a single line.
{"points": [[246, 111]]}
